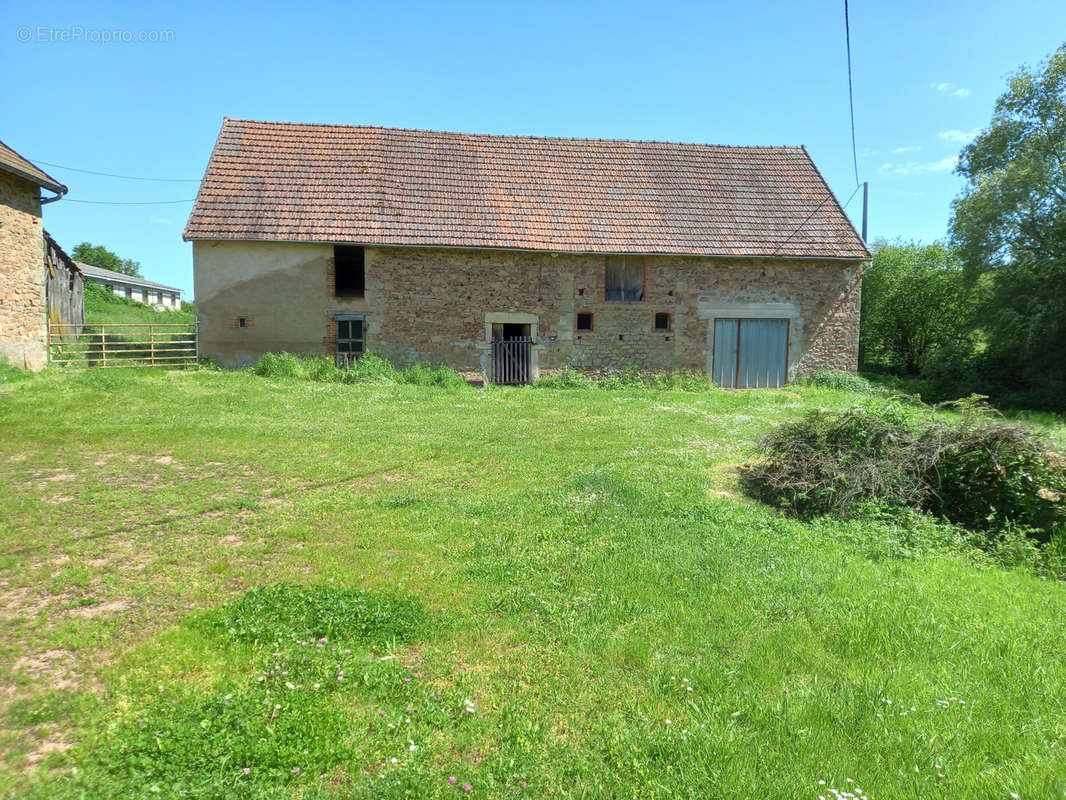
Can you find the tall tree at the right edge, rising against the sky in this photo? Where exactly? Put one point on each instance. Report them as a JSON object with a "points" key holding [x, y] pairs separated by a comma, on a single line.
{"points": [[1010, 223]]}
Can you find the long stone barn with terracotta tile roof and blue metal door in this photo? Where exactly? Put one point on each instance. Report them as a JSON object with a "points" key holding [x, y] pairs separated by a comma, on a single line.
{"points": [[443, 248]]}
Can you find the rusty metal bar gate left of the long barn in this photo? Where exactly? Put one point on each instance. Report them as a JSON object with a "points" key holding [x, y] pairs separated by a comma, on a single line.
{"points": [[115, 345]]}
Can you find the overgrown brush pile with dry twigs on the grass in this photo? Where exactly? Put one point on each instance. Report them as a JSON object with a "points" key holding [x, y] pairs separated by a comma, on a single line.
{"points": [[979, 474]]}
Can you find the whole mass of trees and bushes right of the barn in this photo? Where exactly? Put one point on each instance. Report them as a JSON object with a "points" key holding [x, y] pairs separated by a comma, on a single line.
{"points": [[986, 315]]}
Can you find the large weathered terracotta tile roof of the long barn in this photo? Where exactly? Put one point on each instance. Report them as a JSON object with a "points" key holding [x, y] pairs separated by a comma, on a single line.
{"points": [[281, 182]]}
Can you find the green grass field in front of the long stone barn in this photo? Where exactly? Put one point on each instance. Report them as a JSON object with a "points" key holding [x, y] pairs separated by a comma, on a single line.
{"points": [[527, 593]]}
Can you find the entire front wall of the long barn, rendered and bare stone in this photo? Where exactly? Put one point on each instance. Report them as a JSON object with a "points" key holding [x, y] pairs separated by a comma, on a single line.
{"points": [[434, 306]]}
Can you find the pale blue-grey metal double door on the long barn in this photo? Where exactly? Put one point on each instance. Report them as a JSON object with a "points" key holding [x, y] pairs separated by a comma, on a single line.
{"points": [[751, 354]]}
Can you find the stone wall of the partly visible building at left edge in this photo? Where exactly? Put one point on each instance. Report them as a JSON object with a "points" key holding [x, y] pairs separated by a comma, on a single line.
{"points": [[23, 310]]}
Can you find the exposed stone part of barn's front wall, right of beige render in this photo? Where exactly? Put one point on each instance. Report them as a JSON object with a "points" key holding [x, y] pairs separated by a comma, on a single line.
{"points": [[430, 306]]}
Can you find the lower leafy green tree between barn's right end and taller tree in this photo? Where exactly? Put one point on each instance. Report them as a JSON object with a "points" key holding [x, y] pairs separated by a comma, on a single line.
{"points": [[915, 303]]}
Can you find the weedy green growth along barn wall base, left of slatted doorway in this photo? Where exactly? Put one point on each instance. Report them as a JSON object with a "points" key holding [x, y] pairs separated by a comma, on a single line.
{"points": [[369, 369]]}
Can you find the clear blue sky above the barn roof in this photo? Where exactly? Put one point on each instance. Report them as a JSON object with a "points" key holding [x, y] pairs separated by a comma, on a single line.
{"points": [[926, 76]]}
